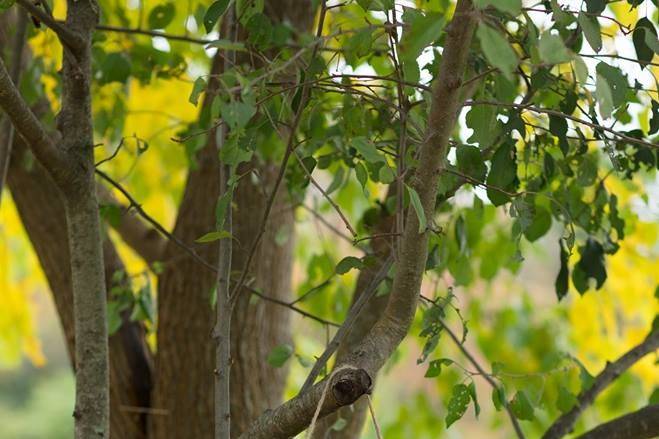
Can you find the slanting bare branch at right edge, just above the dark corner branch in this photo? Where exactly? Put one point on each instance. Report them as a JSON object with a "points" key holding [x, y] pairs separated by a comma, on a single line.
{"points": [[565, 423]]}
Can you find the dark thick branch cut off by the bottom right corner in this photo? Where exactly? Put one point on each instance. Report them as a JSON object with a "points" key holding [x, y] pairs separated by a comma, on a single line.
{"points": [[641, 424]]}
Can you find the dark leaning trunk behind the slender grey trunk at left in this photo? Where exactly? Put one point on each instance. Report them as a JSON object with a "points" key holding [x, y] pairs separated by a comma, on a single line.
{"points": [[41, 210]]}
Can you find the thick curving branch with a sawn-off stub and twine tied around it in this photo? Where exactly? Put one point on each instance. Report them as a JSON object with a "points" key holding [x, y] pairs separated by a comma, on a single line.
{"points": [[351, 382]]}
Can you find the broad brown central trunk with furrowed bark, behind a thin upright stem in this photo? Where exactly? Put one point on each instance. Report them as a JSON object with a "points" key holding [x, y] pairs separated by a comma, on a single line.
{"points": [[185, 338]]}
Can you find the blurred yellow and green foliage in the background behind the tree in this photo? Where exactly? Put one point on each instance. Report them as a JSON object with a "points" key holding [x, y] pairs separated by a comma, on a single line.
{"points": [[504, 292]]}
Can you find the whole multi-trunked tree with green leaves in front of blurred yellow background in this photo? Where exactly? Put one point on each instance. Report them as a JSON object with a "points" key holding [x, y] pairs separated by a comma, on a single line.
{"points": [[540, 87]]}
